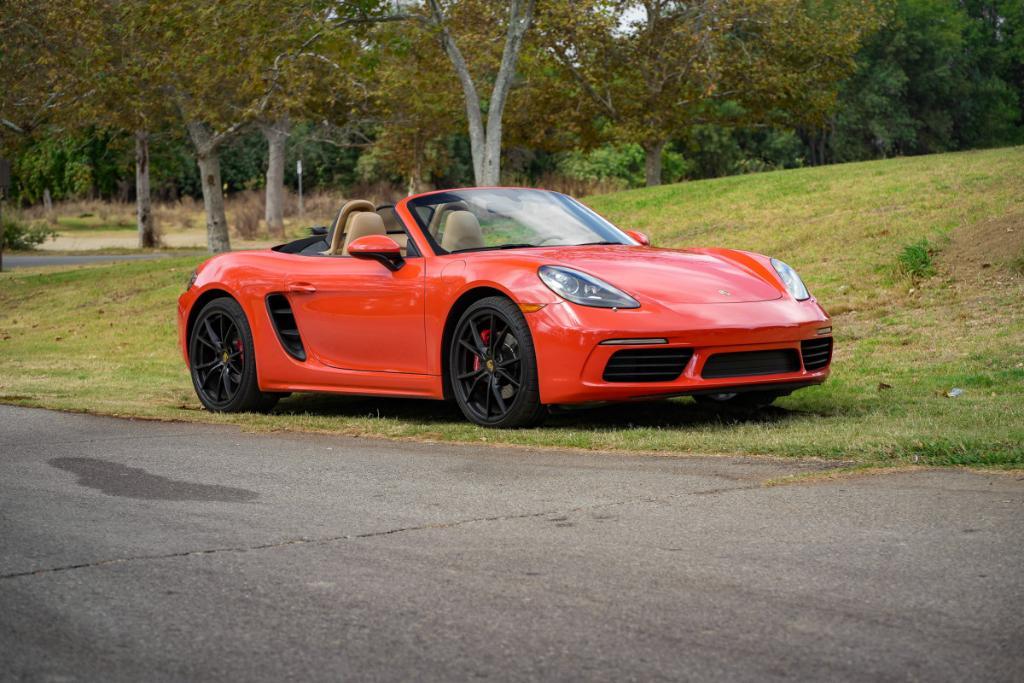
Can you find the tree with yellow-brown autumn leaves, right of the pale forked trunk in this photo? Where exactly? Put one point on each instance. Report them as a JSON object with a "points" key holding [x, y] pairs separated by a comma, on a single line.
{"points": [[656, 68]]}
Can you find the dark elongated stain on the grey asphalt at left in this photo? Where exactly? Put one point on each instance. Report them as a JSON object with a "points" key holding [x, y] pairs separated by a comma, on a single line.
{"points": [[117, 480]]}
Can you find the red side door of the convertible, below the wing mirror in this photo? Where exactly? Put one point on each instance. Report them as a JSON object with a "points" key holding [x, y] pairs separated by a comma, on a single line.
{"points": [[358, 315]]}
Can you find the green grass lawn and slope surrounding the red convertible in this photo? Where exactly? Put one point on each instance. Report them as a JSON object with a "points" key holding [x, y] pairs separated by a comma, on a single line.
{"points": [[103, 339]]}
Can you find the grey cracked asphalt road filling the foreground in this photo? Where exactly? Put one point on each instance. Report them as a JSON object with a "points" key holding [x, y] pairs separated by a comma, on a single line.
{"points": [[152, 551]]}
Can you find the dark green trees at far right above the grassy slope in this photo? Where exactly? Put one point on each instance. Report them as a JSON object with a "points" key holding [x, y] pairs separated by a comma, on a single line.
{"points": [[936, 77]]}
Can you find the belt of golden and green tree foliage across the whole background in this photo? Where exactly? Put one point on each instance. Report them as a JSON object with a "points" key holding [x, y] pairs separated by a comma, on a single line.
{"points": [[705, 89]]}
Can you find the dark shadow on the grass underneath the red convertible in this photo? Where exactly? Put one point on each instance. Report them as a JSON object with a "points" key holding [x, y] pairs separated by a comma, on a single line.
{"points": [[675, 413]]}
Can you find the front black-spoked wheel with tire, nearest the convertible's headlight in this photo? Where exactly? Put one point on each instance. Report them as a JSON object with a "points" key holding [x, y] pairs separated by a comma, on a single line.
{"points": [[493, 366]]}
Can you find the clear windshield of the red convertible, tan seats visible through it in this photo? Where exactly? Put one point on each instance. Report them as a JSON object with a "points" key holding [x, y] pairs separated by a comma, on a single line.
{"points": [[482, 220]]}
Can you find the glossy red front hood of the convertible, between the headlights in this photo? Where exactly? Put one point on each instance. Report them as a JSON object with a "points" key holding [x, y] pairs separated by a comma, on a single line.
{"points": [[671, 276]]}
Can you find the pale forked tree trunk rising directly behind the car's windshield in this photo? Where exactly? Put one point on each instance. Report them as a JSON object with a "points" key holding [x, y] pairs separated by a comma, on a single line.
{"points": [[485, 137]]}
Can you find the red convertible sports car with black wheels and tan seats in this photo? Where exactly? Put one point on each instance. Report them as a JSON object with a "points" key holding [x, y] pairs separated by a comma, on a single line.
{"points": [[505, 301]]}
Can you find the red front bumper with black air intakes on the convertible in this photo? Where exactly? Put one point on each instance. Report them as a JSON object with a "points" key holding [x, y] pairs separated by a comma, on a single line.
{"points": [[572, 359]]}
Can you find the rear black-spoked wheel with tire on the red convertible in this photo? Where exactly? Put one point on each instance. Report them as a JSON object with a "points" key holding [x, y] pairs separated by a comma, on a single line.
{"points": [[223, 361]]}
